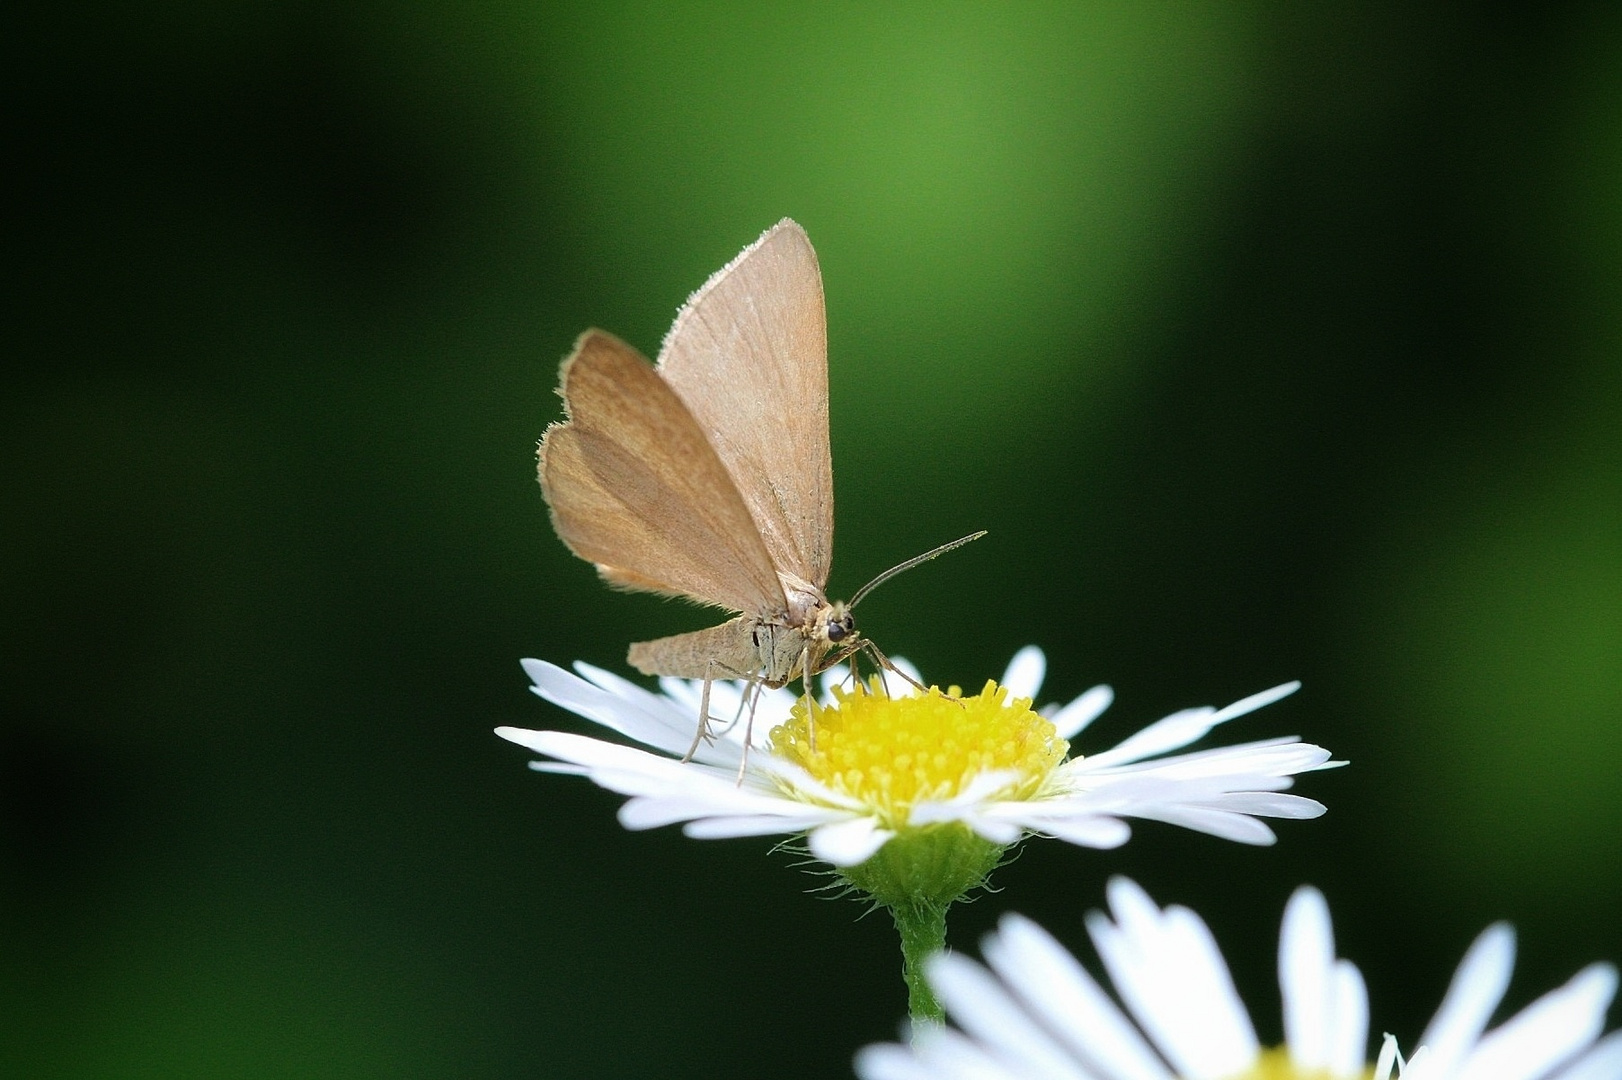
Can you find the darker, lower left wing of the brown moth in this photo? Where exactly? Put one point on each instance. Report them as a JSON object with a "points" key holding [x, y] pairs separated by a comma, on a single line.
{"points": [[637, 489]]}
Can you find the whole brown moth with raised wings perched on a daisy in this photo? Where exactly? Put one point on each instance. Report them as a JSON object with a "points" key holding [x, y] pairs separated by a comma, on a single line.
{"points": [[710, 476]]}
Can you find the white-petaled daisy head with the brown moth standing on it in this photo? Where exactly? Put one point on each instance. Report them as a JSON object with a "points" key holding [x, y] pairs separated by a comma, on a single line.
{"points": [[875, 763]]}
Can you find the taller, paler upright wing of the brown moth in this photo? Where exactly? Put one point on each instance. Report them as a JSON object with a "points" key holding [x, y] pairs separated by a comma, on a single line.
{"points": [[749, 356]]}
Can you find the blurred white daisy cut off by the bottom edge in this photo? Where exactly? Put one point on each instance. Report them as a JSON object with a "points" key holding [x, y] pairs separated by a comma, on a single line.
{"points": [[1032, 1011]]}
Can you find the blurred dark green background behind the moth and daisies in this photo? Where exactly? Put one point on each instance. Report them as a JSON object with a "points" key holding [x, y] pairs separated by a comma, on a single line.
{"points": [[1269, 341]]}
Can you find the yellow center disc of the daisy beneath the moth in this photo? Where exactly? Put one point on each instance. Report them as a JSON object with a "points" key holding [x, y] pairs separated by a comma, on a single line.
{"points": [[893, 753]]}
